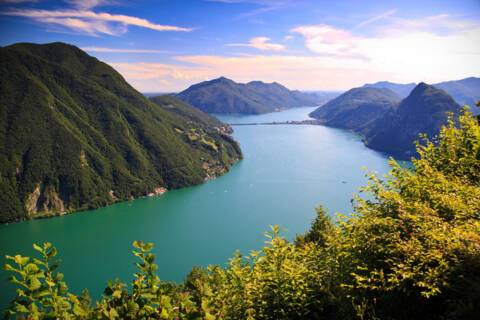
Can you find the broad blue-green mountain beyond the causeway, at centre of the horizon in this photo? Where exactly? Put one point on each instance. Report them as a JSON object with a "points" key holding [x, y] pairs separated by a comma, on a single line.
{"points": [[223, 95]]}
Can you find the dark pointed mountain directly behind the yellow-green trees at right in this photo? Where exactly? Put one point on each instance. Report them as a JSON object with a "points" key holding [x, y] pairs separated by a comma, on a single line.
{"points": [[423, 111]]}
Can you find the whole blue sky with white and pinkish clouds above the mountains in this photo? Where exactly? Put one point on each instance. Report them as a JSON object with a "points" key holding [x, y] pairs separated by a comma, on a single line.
{"points": [[305, 44]]}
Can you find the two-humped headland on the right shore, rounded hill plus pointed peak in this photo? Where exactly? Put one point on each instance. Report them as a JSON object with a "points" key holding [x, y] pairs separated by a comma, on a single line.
{"points": [[386, 122]]}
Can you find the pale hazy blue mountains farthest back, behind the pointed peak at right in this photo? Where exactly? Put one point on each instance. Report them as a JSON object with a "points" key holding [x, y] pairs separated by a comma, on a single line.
{"points": [[464, 92]]}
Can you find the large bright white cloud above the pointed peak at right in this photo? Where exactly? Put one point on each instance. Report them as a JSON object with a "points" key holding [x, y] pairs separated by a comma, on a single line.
{"points": [[430, 49]]}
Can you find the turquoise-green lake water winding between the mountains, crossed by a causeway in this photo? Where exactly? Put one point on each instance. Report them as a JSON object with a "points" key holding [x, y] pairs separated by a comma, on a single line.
{"points": [[287, 171]]}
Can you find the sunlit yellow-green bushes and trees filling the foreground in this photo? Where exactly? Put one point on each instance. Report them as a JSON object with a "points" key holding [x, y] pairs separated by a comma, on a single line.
{"points": [[410, 250]]}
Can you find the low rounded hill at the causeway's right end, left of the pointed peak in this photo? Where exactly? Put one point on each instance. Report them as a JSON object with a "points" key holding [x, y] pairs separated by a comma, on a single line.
{"points": [[357, 108]]}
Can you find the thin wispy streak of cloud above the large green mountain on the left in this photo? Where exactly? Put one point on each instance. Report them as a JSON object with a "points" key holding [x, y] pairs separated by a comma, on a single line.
{"points": [[89, 22]]}
